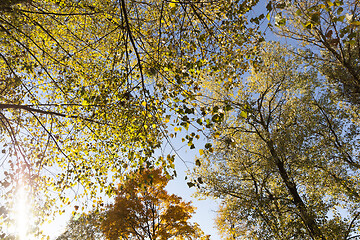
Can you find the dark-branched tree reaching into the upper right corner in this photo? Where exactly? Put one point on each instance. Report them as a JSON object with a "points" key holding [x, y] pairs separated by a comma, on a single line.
{"points": [[331, 27]]}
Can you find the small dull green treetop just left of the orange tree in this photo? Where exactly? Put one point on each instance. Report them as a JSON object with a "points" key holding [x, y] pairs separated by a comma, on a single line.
{"points": [[83, 227]]}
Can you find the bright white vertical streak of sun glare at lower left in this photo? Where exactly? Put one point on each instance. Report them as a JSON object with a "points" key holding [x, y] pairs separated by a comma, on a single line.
{"points": [[22, 212]]}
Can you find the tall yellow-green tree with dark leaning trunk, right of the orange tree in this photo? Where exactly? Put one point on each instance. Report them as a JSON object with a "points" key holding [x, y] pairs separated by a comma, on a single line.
{"points": [[285, 158]]}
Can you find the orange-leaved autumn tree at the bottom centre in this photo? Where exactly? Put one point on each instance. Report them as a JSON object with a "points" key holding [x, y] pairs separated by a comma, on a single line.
{"points": [[144, 210]]}
